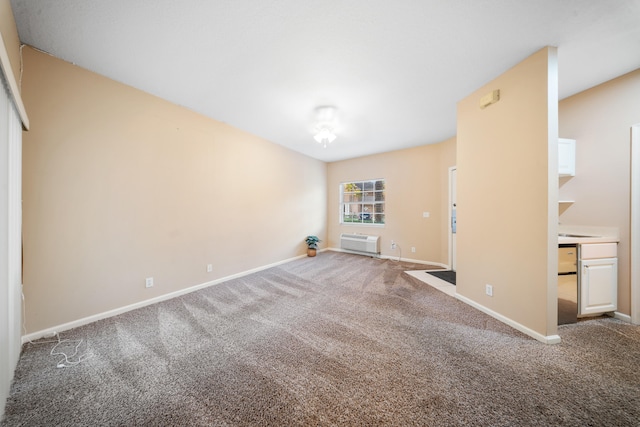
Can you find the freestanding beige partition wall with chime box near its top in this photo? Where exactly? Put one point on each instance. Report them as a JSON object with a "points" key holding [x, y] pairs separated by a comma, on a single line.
{"points": [[506, 221]]}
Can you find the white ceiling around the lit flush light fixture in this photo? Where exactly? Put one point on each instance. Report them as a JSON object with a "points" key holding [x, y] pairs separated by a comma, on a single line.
{"points": [[394, 69]]}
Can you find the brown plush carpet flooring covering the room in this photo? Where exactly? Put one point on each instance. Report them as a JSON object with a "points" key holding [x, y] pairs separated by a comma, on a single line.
{"points": [[337, 339]]}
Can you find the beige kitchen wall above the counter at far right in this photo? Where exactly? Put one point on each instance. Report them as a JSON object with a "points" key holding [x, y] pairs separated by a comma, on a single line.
{"points": [[600, 121]]}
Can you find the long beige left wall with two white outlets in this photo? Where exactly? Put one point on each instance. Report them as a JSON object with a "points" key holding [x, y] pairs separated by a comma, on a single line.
{"points": [[120, 185]]}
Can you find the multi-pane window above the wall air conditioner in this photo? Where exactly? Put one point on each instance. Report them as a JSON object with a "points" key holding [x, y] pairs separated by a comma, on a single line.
{"points": [[362, 202]]}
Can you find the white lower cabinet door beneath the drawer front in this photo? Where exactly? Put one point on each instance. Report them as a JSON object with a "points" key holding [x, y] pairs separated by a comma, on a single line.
{"points": [[598, 289]]}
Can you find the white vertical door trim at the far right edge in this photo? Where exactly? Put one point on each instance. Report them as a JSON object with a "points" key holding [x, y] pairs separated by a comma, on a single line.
{"points": [[634, 270]]}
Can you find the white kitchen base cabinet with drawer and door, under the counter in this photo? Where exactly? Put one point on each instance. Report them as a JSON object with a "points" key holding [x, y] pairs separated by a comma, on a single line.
{"points": [[597, 278]]}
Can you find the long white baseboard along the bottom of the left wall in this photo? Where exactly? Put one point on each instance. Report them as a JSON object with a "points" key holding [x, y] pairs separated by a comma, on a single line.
{"points": [[93, 318]]}
